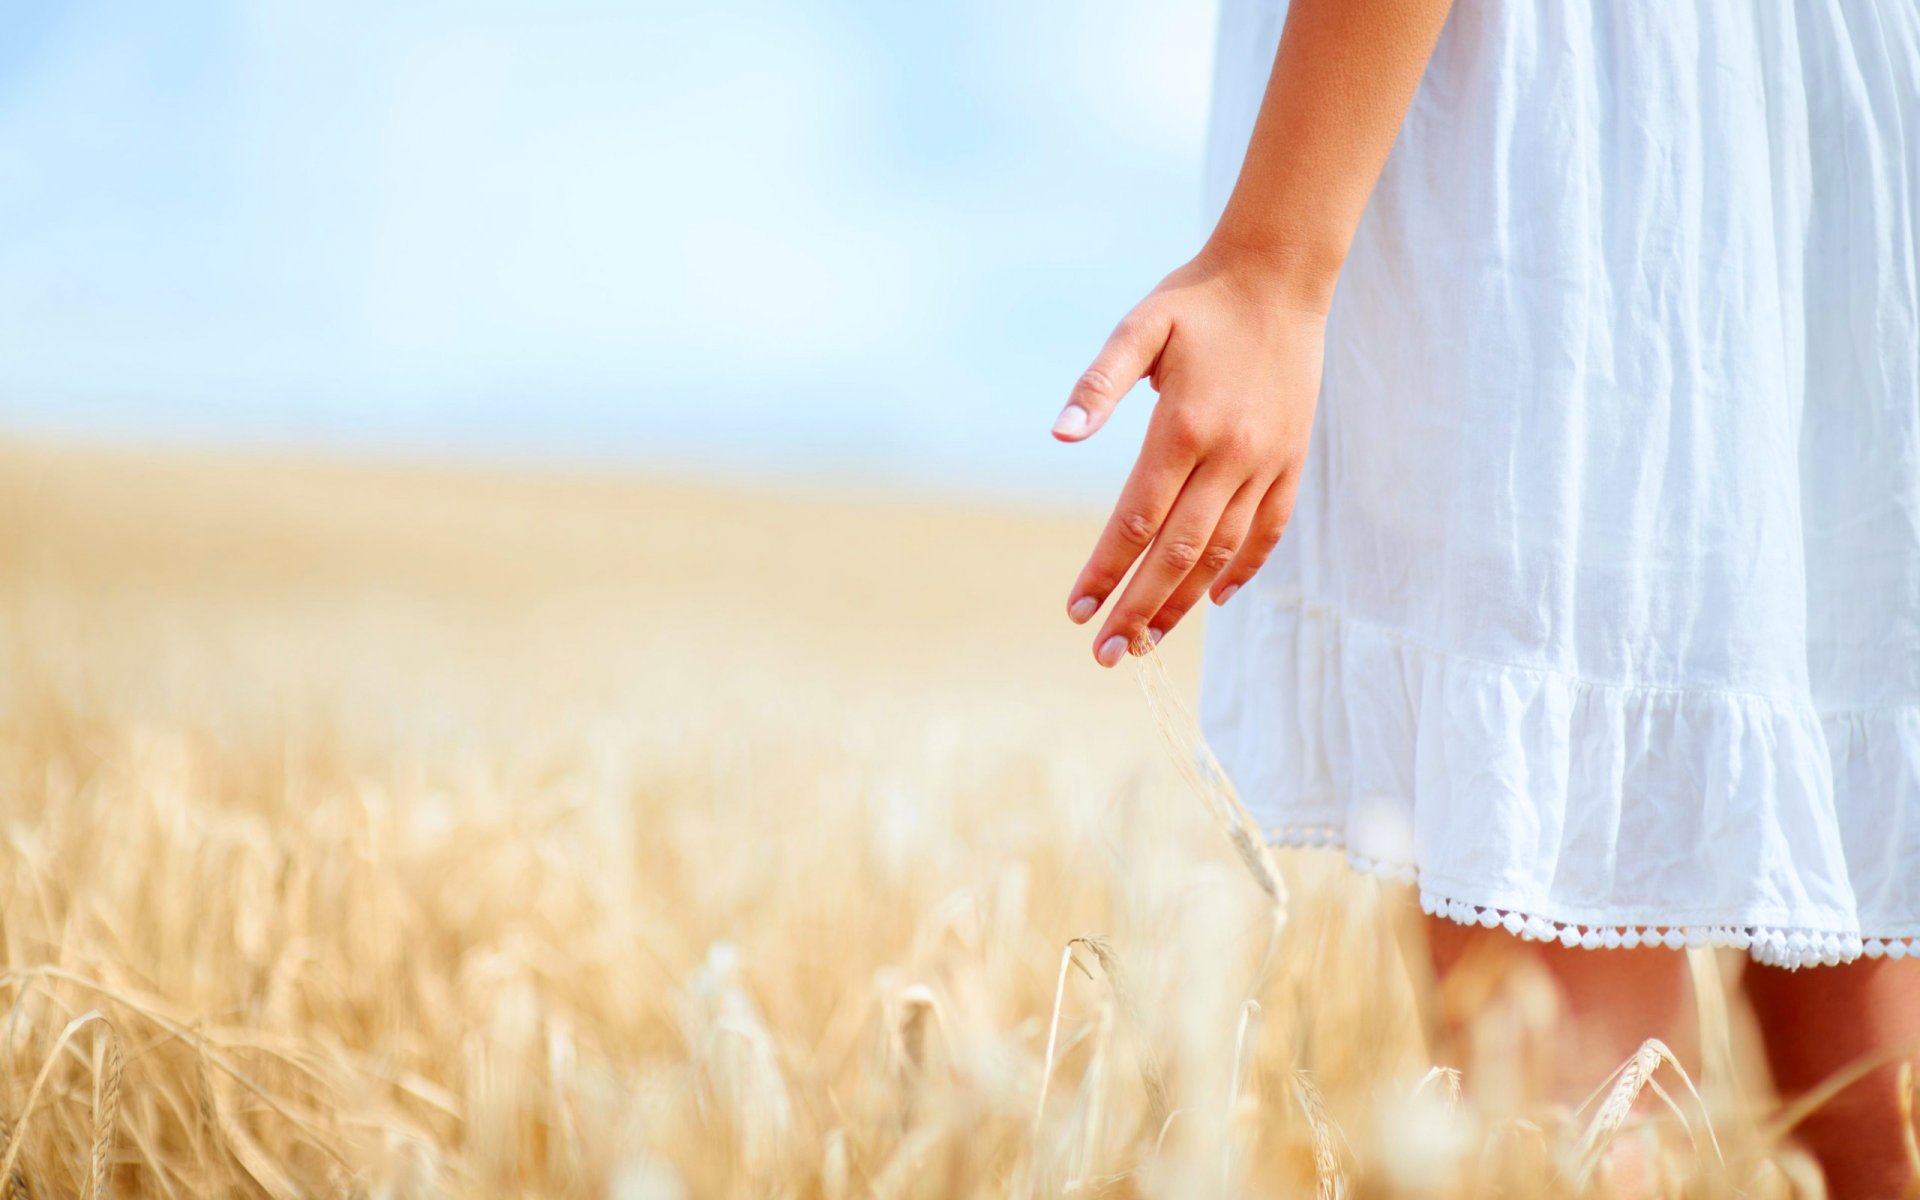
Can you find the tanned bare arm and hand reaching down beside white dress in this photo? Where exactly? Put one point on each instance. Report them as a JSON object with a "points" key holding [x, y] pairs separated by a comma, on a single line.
{"points": [[1232, 341]]}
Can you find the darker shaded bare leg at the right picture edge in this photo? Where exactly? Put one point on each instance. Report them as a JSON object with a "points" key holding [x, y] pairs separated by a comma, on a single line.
{"points": [[1817, 1022]]}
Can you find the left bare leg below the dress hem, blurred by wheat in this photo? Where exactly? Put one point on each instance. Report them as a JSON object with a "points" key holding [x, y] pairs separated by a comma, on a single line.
{"points": [[1610, 1001]]}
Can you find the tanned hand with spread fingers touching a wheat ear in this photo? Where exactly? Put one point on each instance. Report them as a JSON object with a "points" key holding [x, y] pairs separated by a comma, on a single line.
{"points": [[1237, 366]]}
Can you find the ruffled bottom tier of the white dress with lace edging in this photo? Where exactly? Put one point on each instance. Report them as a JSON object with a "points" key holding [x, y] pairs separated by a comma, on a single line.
{"points": [[1360, 736]]}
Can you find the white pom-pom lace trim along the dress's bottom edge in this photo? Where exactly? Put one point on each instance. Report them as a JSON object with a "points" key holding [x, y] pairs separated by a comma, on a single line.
{"points": [[1769, 946]]}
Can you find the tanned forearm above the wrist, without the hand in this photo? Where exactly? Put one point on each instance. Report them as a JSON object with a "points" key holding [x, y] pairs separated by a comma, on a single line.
{"points": [[1343, 80]]}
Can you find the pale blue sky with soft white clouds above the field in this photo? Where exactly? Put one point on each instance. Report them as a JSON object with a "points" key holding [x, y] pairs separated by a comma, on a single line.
{"points": [[861, 241]]}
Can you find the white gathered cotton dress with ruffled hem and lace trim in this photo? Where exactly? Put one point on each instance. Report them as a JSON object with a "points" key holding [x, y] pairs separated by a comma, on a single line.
{"points": [[1600, 608]]}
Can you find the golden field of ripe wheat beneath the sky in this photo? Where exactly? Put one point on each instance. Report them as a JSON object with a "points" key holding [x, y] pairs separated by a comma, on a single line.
{"points": [[416, 832]]}
